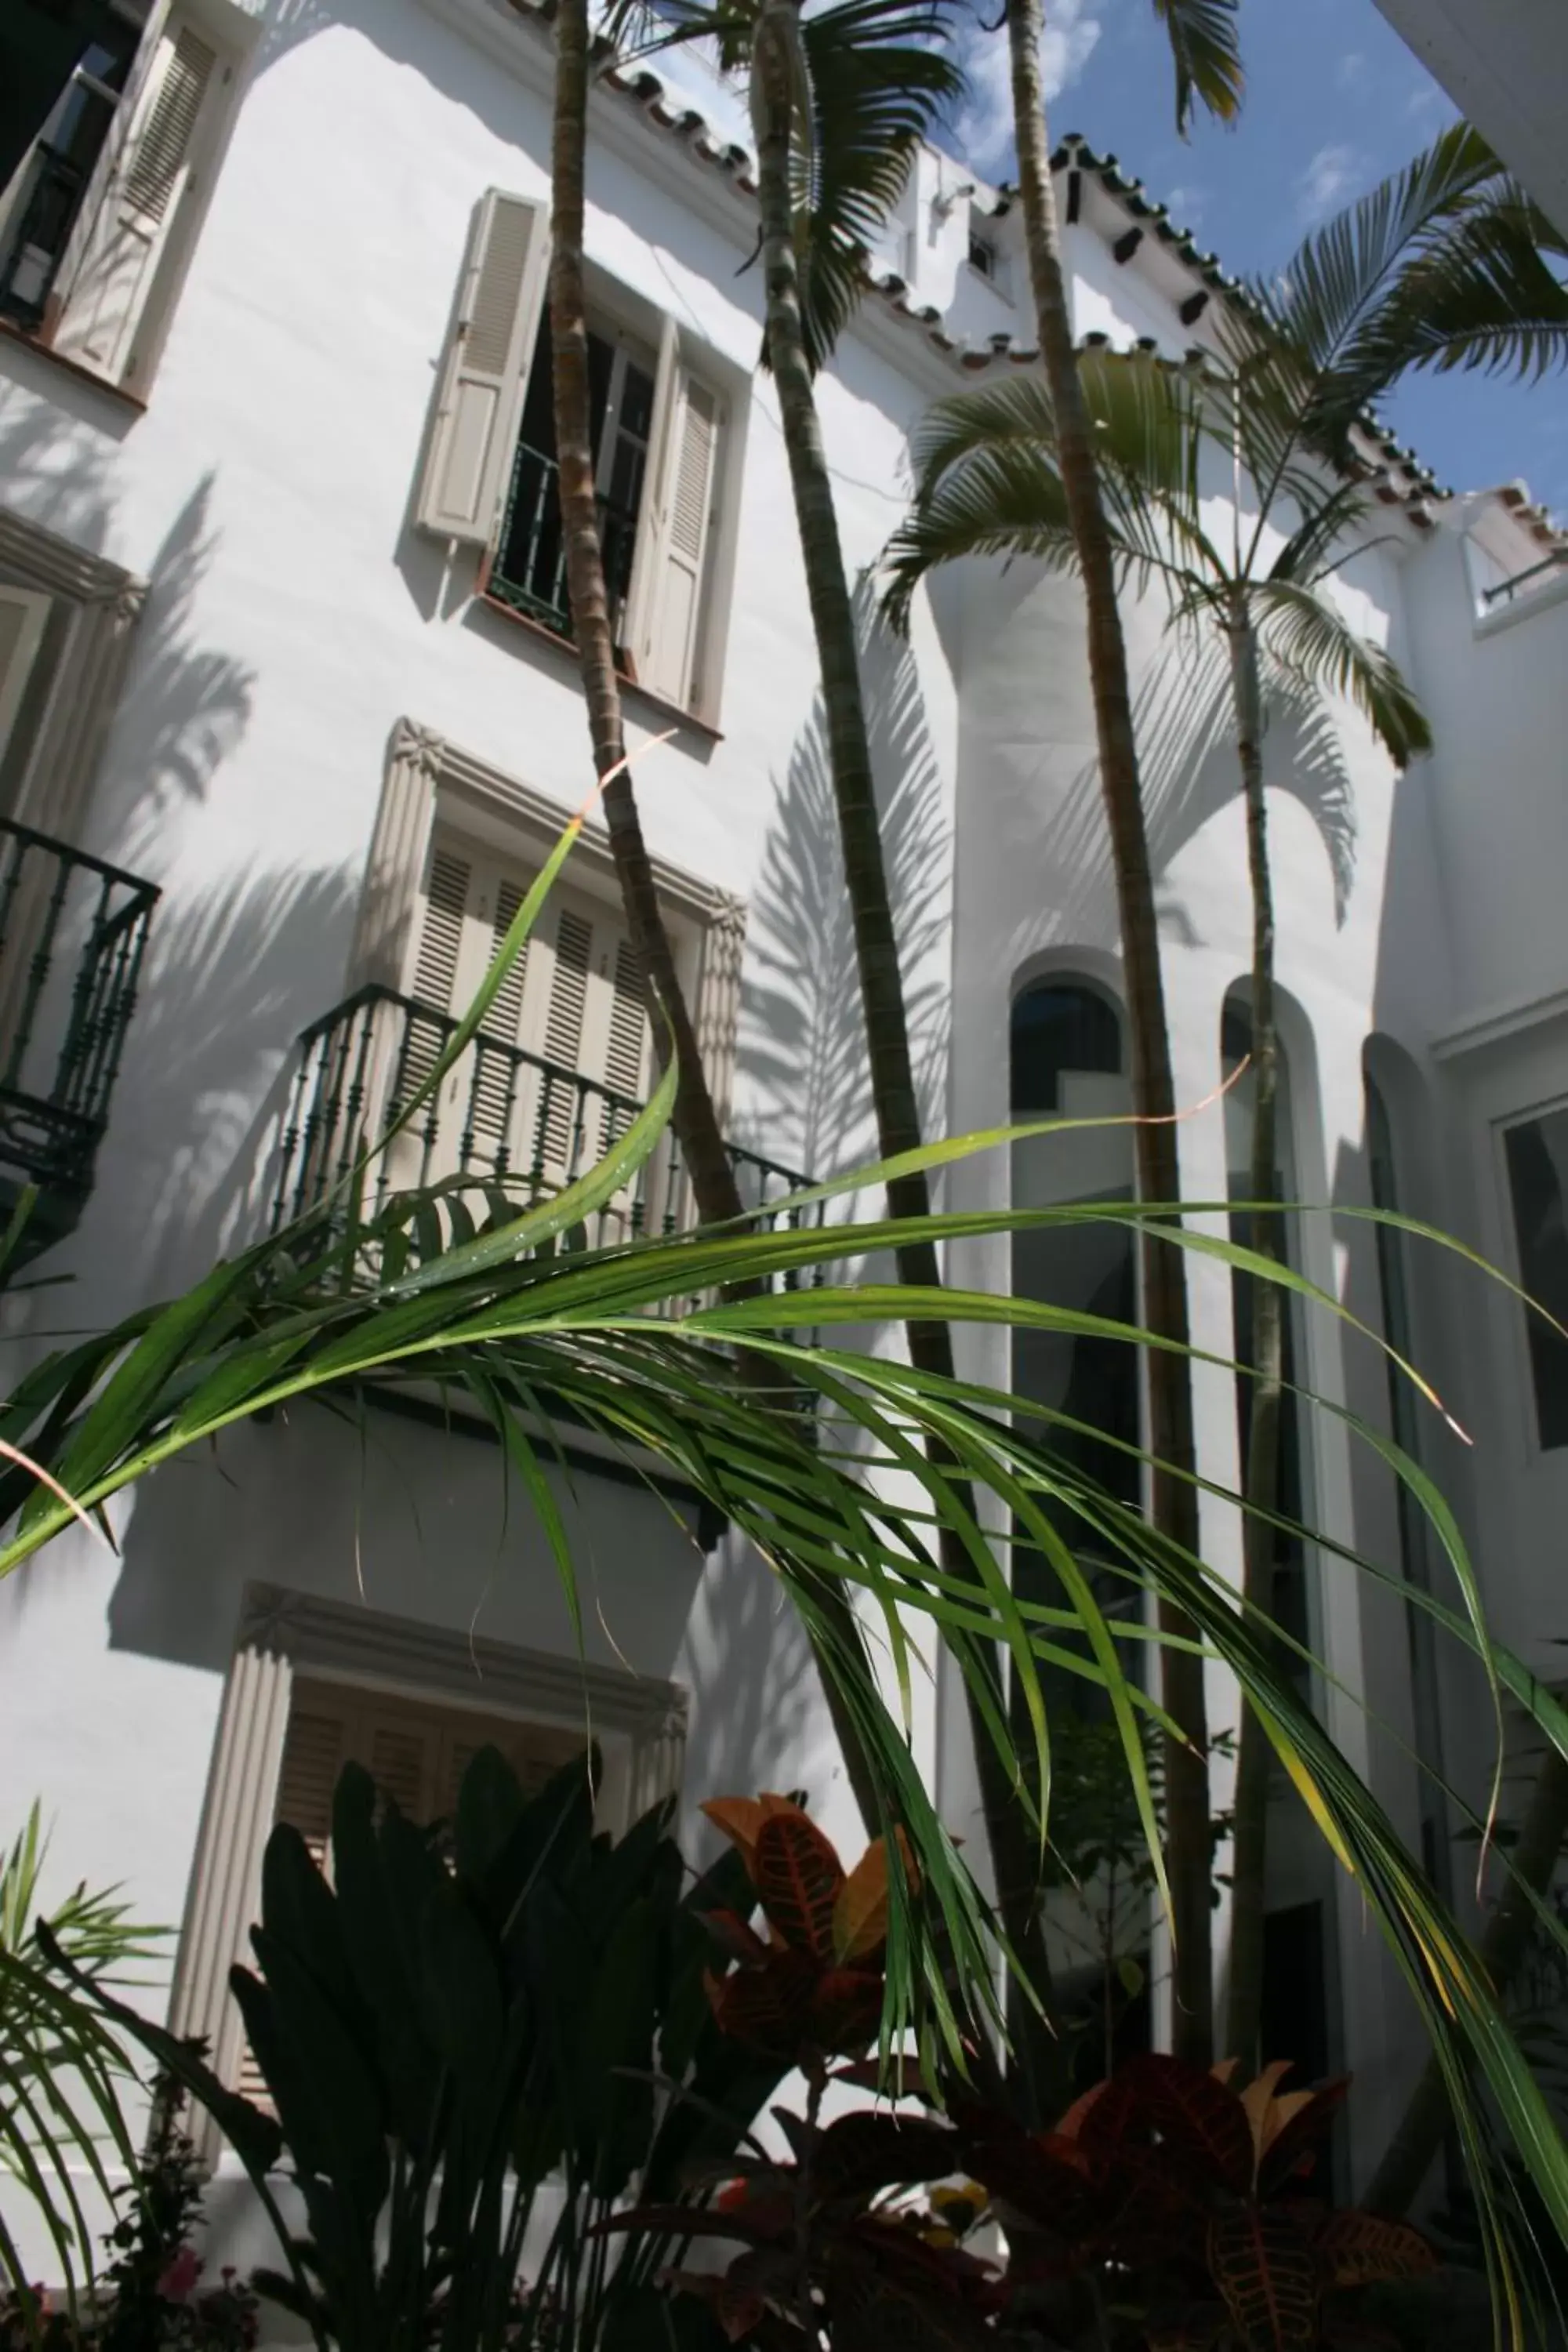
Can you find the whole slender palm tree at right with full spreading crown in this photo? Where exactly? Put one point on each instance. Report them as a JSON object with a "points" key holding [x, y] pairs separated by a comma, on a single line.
{"points": [[1449, 241]]}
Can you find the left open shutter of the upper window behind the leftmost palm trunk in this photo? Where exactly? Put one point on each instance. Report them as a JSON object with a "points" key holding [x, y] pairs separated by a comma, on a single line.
{"points": [[485, 370]]}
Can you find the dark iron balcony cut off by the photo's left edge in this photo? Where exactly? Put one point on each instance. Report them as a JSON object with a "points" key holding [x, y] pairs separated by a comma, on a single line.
{"points": [[72, 942]]}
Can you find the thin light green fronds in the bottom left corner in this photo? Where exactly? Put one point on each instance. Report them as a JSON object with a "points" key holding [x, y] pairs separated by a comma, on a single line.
{"points": [[60, 2066]]}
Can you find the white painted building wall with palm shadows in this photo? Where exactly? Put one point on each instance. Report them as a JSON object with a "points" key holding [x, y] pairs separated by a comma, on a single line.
{"points": [[295, 617]]}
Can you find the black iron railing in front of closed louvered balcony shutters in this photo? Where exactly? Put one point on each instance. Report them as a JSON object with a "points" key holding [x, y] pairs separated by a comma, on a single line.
{"points": [[502, 1118]]}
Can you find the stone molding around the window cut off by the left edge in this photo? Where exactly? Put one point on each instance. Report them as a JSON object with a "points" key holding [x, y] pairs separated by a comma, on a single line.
{"points": [[95, 608]]}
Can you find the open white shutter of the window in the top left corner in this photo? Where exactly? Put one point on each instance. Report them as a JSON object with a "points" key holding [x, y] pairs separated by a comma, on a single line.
{"points": [[140, 203]]}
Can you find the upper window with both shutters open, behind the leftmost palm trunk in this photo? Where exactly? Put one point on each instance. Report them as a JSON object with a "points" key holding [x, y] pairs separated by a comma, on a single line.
{"points": [[664, 455]]}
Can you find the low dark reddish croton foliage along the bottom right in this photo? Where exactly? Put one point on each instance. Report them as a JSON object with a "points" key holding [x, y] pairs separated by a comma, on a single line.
{"points": [[1162, 2214]]}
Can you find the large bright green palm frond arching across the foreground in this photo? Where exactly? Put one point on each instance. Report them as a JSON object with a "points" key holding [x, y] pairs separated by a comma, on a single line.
{"points": [[619, 1339]]}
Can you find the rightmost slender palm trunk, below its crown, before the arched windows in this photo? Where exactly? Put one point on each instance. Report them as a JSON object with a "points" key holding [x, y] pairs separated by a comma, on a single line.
{"points": [[1261, 1471]]}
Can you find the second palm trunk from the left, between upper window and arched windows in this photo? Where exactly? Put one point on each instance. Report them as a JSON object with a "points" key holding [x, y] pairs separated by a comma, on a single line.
{"points": [[892, 1071]]}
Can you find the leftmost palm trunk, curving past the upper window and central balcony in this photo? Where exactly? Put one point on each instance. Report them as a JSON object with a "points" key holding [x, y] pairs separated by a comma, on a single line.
{"points": [[697, 1128]]}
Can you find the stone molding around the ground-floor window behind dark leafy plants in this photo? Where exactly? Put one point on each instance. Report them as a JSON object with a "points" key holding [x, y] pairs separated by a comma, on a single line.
{"points": [[290, 1633]]}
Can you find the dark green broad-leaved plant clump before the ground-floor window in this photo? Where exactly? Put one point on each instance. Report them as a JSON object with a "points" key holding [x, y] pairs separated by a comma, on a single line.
{"points": [[462, 2050]]}
